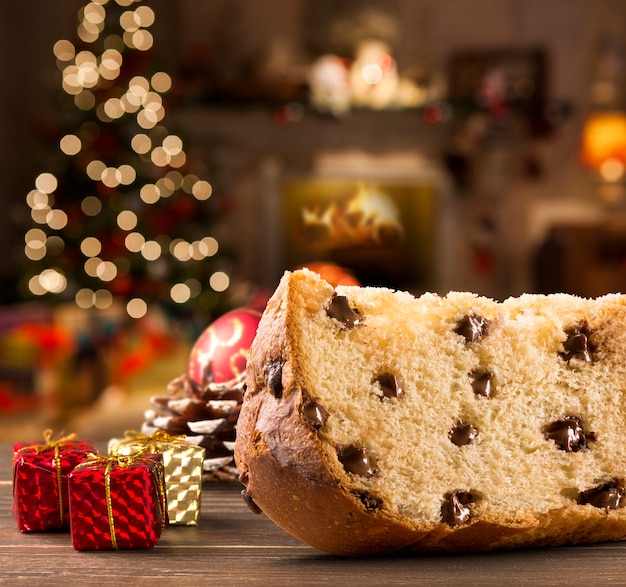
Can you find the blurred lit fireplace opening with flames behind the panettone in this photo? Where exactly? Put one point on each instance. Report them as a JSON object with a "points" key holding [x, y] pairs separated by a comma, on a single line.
{"points": [[386, 228]]}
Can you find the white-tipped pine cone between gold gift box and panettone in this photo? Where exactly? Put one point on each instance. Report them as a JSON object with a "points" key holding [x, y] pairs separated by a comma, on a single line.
{"points": [[207, 414]]}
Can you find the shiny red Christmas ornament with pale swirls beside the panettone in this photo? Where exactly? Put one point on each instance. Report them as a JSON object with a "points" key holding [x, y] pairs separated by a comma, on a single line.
{"points": [[220, 353]]}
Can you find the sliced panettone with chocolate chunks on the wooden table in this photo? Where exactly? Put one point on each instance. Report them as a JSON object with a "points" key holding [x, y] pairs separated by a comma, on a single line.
{"points": [[375, 421]]}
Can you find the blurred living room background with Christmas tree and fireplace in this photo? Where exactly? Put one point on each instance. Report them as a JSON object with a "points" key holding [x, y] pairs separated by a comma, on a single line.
{"points": [[163, 162]]}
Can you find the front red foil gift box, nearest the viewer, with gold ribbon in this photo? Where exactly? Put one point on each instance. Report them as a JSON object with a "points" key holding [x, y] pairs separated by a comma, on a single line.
{"points": [[118, 502]]}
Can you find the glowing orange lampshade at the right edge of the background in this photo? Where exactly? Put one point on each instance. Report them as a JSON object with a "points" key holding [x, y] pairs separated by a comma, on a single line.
{"points": [[604, 141]]}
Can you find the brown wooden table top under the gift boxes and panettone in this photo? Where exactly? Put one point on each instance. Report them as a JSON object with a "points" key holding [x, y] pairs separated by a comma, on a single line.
{"points": [[231, 546]]}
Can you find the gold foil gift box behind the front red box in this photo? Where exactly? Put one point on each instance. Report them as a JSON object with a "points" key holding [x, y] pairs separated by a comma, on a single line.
{"points": [[182, 462]]}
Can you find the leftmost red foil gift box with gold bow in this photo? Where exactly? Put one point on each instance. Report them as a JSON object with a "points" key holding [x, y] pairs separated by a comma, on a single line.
{"points": [[40, 481]]}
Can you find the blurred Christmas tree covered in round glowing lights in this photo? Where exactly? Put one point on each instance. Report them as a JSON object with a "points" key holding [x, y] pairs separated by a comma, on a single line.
{"points": [[125, 214]]}
